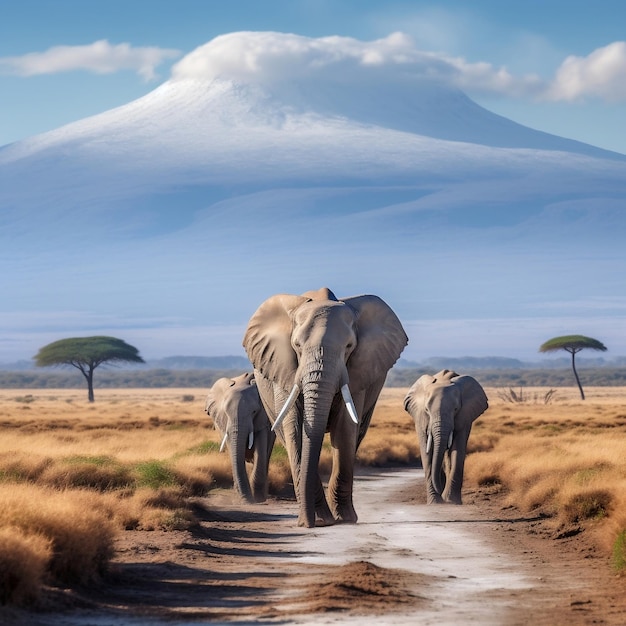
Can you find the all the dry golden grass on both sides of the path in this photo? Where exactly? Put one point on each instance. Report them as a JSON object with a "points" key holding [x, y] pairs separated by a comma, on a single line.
{"points": [[72, 474]]}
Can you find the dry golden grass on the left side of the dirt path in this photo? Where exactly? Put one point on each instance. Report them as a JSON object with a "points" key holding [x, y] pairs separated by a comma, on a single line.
{"points": [[72, 474]]}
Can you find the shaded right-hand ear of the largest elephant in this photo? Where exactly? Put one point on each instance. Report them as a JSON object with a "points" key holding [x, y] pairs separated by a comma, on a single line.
{"points": [[380, 341]]}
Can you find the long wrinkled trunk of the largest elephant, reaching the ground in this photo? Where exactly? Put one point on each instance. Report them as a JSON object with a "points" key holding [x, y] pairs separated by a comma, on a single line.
{"points": [[320, 383]]}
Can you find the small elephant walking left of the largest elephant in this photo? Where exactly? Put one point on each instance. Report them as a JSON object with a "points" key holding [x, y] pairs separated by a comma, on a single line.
{"points": [[239, 415]]}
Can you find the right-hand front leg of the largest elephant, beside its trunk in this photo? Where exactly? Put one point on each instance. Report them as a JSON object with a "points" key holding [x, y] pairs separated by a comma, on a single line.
{"points": [[343, 438]]}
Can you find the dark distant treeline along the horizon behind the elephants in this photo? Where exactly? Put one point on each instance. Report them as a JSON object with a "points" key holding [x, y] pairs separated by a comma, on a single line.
{"points": [[398, 377]]}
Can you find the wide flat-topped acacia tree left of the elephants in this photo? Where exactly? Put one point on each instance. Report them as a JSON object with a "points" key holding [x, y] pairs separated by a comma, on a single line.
{"points": [[86, 353]]}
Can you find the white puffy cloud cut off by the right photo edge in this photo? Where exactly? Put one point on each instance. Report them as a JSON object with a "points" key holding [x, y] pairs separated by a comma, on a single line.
{"points": [[601, 74]]}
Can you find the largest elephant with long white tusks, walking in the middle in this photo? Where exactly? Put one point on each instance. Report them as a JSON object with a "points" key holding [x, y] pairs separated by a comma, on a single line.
{"points": [[320, 364]]}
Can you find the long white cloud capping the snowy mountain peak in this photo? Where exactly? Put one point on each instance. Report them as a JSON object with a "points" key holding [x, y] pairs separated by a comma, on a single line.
{"points": [[270, 57]]}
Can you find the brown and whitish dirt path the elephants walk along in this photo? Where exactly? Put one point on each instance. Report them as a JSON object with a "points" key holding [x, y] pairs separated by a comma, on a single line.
{"points": [[403, 562]]}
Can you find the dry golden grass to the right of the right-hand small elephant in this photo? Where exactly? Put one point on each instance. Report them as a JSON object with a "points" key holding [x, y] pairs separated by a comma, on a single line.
{"points": [[566, 458]]}
